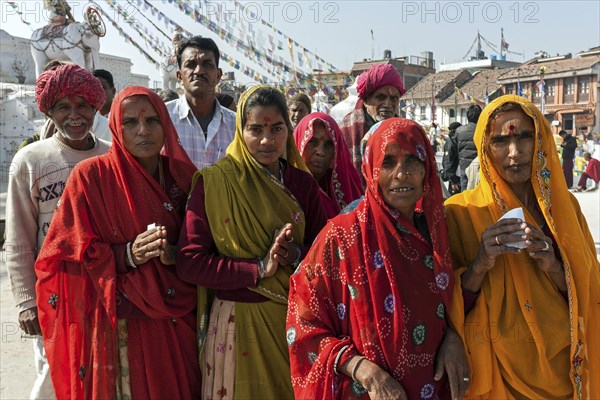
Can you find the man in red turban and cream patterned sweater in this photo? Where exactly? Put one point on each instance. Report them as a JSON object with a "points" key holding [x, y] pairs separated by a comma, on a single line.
{"points": [[70, 96]]}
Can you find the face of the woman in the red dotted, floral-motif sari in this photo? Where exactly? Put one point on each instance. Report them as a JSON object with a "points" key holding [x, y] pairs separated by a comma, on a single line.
{"points": [[401, 179]]}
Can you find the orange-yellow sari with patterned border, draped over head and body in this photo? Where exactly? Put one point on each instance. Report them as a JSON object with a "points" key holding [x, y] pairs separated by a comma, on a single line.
{"points": [[523, 339]]}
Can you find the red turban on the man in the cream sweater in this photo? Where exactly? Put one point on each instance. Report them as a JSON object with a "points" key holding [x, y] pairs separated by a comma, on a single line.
{"points": [[62, 81]]}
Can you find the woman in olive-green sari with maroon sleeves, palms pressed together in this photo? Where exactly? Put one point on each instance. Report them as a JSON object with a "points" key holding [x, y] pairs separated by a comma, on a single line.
{"points": [[250, 218]]}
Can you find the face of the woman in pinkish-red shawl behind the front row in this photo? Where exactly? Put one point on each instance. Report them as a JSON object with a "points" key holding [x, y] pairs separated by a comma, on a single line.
{"points": [[319, 151]]}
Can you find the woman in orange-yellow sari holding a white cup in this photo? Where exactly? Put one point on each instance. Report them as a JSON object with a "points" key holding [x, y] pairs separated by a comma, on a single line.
{"points": [[527, 305]]}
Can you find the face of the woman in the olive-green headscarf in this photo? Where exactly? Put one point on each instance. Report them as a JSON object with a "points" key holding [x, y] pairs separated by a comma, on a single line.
{"points": [[265, 134]]}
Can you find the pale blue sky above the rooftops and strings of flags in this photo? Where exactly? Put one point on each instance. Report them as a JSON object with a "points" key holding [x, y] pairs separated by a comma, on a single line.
{"points": [[340, 31]]}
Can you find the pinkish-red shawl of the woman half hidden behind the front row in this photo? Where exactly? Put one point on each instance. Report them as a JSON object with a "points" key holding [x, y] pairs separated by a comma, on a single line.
{"points": [[343, 184]]}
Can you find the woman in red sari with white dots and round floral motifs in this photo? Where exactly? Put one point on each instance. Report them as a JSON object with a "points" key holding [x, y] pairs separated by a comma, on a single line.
{"points": [[367, 314]]}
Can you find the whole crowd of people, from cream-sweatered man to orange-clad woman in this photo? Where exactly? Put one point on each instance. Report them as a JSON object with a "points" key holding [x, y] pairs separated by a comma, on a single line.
{"points": [[200, 246]]}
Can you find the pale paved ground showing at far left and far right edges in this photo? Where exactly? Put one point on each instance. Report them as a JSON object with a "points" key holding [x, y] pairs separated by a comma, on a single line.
{"points": [[16, 353]]}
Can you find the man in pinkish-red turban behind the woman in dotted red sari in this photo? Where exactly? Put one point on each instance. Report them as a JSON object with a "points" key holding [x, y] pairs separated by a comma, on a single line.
{"points": [[379, 91]]}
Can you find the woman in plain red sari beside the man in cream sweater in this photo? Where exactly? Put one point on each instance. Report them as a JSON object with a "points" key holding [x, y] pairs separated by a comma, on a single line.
{"points": [[116, 318]]}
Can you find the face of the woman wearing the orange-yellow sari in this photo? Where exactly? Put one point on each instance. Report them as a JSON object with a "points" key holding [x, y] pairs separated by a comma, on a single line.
{"points": [[510, 146]]}
